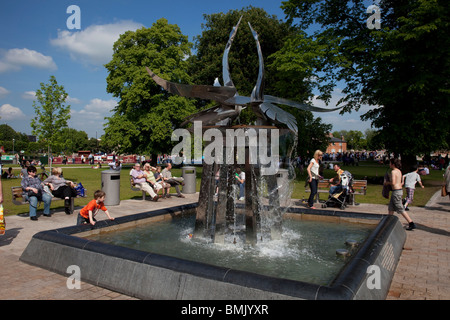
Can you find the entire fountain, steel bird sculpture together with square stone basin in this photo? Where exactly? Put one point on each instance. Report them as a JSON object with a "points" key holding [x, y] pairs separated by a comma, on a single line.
{"points": [[259, 219]]}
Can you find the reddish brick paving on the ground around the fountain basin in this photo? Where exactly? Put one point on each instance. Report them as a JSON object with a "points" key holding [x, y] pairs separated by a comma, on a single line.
{"points": [[422, 273]]}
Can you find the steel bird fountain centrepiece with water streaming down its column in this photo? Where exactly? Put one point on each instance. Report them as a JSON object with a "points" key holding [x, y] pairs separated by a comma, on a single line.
{"points": [[260, 157]]}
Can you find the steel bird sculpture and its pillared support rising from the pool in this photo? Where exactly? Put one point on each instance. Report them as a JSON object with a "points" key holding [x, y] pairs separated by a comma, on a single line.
{"points": [[214, 218]]}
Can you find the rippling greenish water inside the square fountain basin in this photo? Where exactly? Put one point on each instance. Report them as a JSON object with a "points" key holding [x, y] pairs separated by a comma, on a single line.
{"points": [[306, 251]]}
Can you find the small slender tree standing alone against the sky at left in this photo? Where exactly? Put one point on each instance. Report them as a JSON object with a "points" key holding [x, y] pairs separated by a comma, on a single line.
{"points": [[51, 115]]}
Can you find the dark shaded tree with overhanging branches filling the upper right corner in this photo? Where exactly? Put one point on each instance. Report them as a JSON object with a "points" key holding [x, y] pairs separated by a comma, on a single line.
{"points": [[402, 68]]}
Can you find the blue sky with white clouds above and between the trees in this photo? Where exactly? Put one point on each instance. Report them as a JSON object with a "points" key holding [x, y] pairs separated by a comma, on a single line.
{"points": [[36, 43]]}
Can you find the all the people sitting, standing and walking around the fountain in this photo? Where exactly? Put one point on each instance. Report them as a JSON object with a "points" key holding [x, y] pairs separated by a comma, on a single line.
{"points": [[157, 183]]}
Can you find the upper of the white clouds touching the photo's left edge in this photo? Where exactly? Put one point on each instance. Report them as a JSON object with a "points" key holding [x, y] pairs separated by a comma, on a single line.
{"points": [[15, 59]]}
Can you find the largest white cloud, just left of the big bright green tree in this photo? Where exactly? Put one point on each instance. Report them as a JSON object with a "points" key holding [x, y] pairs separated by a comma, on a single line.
{"points": [[93, 45]]}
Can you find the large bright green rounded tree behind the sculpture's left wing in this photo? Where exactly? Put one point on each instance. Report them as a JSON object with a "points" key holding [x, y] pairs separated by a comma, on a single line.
{"points": [[146, 114]]}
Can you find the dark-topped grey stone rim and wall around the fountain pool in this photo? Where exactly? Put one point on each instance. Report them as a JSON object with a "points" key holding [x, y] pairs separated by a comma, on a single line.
{"points": [[151, 276]]}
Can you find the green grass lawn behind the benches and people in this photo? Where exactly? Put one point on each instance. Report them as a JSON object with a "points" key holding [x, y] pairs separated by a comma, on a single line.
{"points": [[91, 180]]}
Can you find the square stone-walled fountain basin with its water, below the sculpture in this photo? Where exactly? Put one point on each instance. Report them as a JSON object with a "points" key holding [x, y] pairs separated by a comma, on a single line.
{"points": [[149, 273]]}
